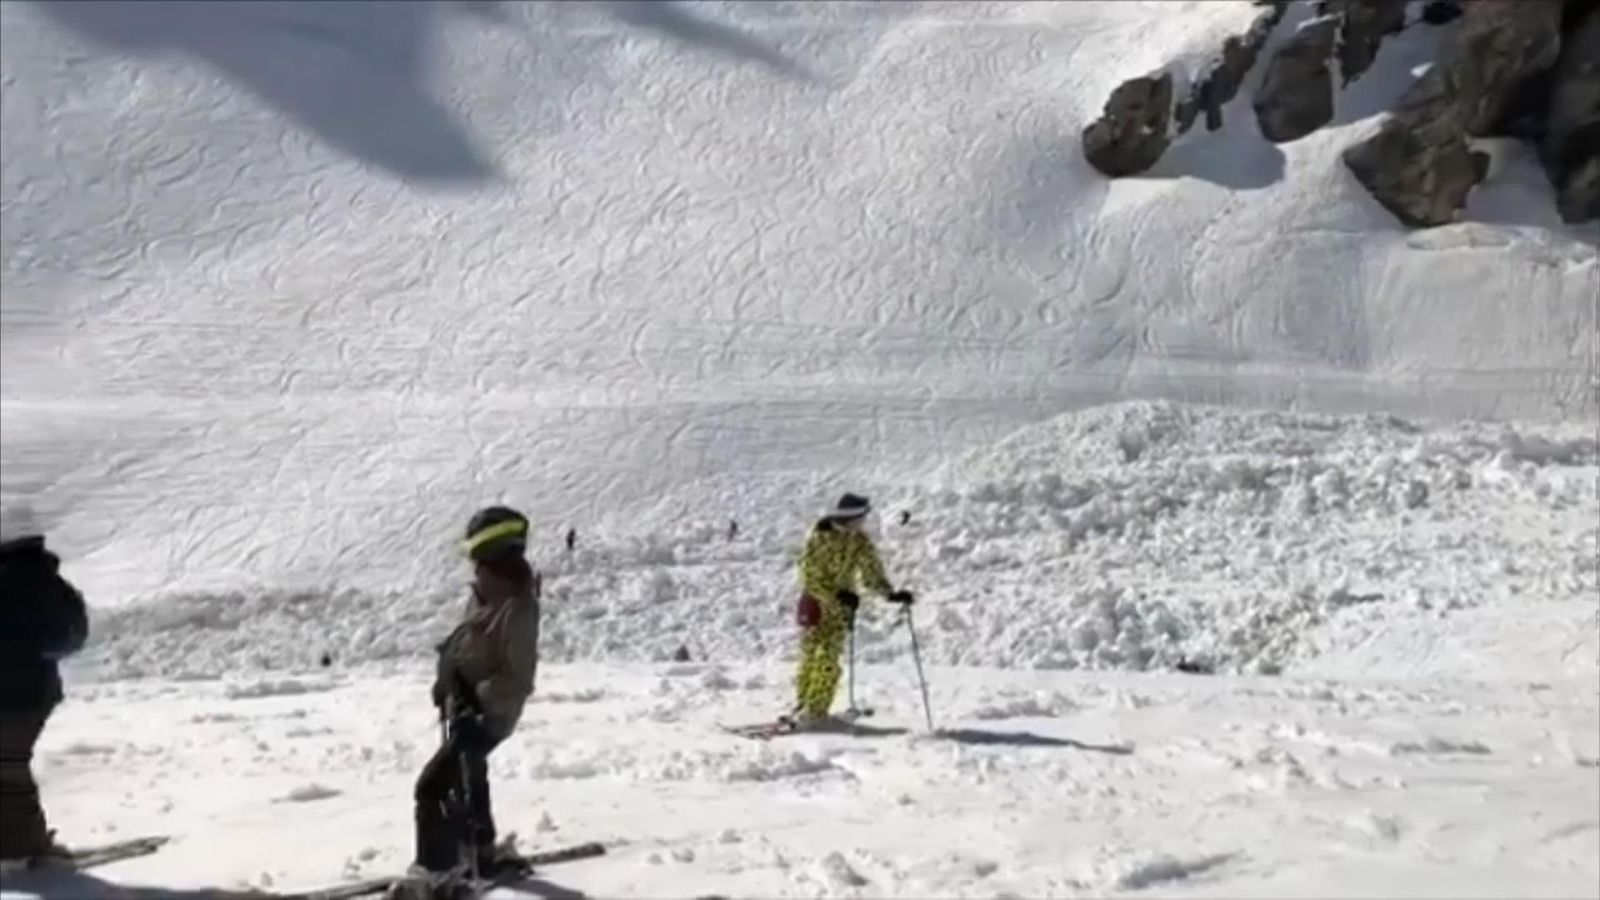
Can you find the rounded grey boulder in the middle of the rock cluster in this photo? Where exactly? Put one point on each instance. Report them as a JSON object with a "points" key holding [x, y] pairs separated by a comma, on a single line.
{"points": [[1297, 92]]}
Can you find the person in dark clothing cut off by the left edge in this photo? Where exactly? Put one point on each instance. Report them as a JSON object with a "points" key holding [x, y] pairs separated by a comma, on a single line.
{"points": [[42, 619]]}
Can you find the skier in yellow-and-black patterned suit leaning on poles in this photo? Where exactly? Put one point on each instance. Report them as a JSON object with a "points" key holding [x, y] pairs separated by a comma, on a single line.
{"points": [[839, 561]]}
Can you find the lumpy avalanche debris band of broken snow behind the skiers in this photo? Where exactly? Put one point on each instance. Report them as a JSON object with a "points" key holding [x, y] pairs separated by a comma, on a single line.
{"points": [[1126, 537]]}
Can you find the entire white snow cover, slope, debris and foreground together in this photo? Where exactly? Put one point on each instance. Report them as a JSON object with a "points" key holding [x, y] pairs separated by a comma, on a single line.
{"points": [[290, 291]]}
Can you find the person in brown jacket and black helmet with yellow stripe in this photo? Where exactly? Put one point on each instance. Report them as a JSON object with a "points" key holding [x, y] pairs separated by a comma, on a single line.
{"points": [[486, 677]]}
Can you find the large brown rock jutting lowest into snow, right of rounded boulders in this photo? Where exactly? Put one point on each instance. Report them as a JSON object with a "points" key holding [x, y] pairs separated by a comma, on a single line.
{"points": [[1420, 166]]}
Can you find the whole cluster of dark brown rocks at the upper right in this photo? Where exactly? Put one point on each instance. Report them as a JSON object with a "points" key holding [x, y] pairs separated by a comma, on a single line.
{"points": [[1526, 70]]}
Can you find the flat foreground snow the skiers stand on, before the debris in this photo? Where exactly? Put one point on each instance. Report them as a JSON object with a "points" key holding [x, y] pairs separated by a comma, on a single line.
{"points": [[1038, 785]]}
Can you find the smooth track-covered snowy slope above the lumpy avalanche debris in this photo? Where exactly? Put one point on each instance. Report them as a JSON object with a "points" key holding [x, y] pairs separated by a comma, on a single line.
{"points": [[735, 257]]}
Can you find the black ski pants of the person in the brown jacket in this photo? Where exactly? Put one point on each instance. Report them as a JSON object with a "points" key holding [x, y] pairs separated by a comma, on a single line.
{"points": [[462, 763]]}
